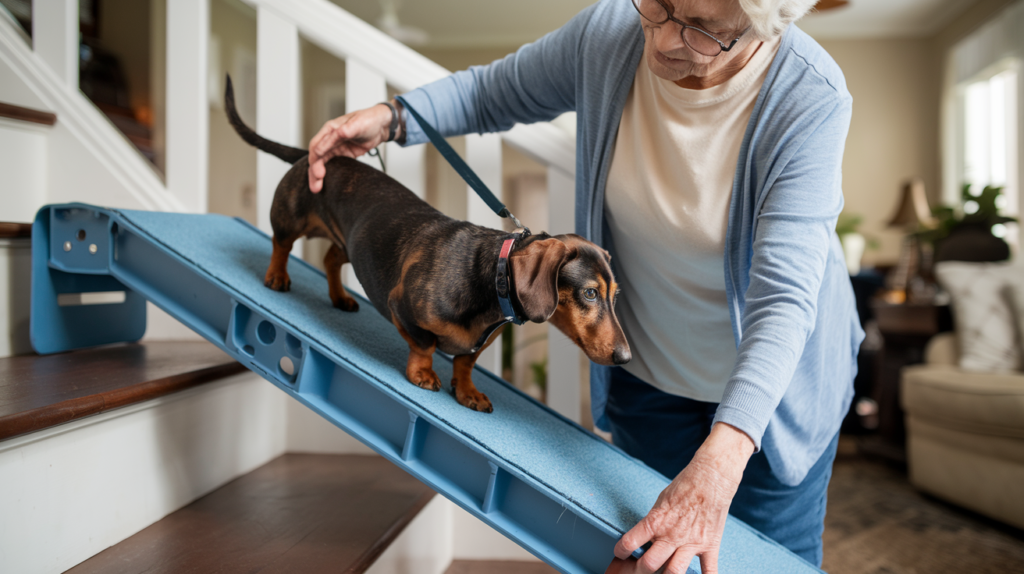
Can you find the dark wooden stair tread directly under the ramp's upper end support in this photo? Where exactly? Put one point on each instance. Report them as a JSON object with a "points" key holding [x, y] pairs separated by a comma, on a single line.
{"points": [[37, 392]]}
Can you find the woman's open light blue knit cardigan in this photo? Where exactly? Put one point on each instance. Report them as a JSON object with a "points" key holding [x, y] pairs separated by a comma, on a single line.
{"points": [[791, 301]]}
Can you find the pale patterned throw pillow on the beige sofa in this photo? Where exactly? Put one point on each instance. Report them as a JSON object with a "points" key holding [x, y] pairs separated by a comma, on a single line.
{"points": [[986, 325]]}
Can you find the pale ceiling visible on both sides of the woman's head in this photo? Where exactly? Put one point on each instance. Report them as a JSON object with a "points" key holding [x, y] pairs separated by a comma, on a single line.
{"points": [[454, 24]]}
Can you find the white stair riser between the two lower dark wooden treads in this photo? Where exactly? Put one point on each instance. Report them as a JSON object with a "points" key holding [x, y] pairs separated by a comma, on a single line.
{"points": [[70, 492]]}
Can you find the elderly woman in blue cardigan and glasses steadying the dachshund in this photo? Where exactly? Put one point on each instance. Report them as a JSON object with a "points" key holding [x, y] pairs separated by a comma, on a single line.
{"points": [[710, 142]]}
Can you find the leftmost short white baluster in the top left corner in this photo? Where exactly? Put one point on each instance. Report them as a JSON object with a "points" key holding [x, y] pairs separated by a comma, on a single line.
{"points": [[55, 37]]}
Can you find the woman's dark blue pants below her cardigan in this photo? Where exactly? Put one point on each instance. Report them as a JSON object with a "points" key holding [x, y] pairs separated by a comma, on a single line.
{"points": [[665, 431]]}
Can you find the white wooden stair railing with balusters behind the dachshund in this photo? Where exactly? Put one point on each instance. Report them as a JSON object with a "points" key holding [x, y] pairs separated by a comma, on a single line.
{"points": [[374, 63]]}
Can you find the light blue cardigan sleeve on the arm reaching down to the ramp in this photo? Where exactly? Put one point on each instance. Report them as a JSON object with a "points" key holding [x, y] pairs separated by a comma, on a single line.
{"points": [[792, 242]]}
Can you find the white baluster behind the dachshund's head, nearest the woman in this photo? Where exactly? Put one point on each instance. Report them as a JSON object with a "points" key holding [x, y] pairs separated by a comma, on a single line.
{"points": [[564, 356]]}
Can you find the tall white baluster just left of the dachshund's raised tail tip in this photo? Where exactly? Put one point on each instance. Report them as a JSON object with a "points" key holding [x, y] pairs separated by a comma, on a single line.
{"points": [[188, 105]]}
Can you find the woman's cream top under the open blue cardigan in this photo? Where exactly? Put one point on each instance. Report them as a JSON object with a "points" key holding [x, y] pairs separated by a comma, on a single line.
{"points": [[667, 202]]}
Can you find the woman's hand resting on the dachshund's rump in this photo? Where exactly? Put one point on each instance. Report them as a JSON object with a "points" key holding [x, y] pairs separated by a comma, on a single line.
{"points": [[352, 136]]}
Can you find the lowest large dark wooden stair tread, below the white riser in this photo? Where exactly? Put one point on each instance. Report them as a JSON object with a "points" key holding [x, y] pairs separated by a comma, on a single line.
{"points": [[300, 513]]}
